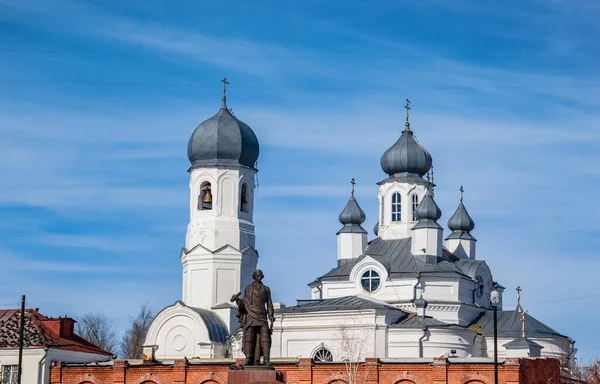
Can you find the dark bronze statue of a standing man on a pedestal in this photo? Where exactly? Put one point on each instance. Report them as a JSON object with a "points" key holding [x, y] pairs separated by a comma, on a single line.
{"points": [[255, 311]]}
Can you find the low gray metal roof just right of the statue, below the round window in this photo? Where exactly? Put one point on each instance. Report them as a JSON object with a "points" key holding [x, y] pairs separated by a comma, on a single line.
{"points": [[339, 304]]}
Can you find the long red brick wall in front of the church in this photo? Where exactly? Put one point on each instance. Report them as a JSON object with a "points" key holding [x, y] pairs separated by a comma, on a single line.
{"points": [[522, 371]]}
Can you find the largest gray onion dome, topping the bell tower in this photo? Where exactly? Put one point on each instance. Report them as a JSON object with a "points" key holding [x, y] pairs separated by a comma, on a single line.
{"points": [[223, 140]]}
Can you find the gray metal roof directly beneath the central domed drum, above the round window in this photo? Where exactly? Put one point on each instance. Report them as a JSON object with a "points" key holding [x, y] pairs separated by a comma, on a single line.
{"points": [[396, 257]]}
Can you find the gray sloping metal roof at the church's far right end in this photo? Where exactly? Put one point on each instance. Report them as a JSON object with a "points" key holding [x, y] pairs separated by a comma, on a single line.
{"points": [[509, 325]]}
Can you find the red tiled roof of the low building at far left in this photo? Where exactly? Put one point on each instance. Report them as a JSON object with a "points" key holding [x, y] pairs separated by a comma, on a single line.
{"points": [[41, 331]]}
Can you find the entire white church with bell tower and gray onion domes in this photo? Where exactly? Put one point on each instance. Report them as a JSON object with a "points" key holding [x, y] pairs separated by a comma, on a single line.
{"points": [[407, 293]]}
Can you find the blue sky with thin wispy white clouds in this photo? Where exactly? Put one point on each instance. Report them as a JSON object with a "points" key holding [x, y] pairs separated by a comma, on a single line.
{"points": [[98, 100]]}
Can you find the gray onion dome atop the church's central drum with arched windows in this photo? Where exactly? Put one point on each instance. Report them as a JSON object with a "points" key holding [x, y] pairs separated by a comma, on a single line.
{"points": [[406, 156]]}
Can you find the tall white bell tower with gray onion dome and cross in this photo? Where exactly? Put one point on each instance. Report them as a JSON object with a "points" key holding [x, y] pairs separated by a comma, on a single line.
{"points": [[219, 256]]}
